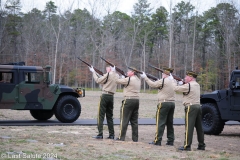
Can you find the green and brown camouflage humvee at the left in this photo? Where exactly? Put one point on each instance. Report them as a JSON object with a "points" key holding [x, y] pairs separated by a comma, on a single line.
{"points": [[29, 88]]}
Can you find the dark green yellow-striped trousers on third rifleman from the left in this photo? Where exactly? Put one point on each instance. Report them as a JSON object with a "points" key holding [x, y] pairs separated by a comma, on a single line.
{"points": [[164, 117]]}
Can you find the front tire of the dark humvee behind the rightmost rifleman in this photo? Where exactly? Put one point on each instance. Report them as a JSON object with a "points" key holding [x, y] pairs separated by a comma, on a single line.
{"points": [[211, 120]]}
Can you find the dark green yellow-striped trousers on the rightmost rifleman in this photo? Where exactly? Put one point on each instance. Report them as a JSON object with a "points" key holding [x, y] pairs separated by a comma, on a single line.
{"points": [[193, 118]]}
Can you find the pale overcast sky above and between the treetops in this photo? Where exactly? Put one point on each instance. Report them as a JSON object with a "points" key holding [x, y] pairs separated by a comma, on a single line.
{"points": [[125, 6]]}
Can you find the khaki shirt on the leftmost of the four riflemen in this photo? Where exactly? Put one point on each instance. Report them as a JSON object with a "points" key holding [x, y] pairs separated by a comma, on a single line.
{"points": [[110, 85]]}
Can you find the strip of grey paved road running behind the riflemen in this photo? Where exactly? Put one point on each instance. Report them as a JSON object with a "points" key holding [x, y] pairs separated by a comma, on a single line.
{"points": [[143, 121]]}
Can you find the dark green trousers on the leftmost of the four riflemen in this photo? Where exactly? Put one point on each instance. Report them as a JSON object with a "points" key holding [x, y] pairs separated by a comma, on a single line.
{"points": [[105, 107]]}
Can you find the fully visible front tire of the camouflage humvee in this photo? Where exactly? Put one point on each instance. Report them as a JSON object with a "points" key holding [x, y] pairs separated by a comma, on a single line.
{"points": [[67, 109]]}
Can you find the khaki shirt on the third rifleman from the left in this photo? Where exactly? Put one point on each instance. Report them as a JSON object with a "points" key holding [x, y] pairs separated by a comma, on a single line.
{"points": [[165, 94]]}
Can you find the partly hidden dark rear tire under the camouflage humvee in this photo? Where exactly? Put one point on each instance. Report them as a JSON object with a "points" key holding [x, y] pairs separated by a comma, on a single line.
{"points": [[42, 115]]}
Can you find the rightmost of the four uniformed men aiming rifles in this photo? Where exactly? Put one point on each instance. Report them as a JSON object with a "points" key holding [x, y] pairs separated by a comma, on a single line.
{"points": [[193, 111]]}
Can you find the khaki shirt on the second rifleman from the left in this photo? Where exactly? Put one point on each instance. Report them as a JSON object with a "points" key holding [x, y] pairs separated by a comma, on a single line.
{"points": [[133, 88]]}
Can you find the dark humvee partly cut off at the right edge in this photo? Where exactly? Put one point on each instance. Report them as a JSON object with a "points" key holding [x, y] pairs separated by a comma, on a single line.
{"points": [[221, 106]]}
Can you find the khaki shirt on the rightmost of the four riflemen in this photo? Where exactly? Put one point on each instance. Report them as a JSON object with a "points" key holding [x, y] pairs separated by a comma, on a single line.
{"points": [[194, 95]]}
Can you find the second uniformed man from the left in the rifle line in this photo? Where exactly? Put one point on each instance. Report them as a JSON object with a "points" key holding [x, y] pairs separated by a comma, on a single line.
{"points": [[130, 105]]}
